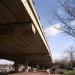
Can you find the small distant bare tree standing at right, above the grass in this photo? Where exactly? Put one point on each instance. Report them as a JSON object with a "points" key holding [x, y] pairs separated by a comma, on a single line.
{"points": [[70, 52]]}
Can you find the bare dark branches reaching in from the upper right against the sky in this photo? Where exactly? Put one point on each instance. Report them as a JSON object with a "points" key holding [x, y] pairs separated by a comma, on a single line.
{"points": [[66, 17]]}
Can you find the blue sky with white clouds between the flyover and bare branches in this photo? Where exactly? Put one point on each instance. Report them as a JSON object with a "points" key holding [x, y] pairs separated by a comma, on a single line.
{"points": [[57, 40]]}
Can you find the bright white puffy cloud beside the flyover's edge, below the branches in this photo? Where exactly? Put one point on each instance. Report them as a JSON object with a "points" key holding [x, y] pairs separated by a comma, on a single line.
{"points": [[51, 31]]}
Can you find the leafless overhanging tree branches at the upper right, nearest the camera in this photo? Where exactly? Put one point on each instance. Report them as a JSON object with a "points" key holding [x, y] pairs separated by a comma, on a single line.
{"points": [[66, 22]]}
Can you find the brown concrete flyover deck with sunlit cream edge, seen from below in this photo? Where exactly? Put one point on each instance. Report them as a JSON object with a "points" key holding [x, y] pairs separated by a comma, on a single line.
{"points": [[22, 38]]}
